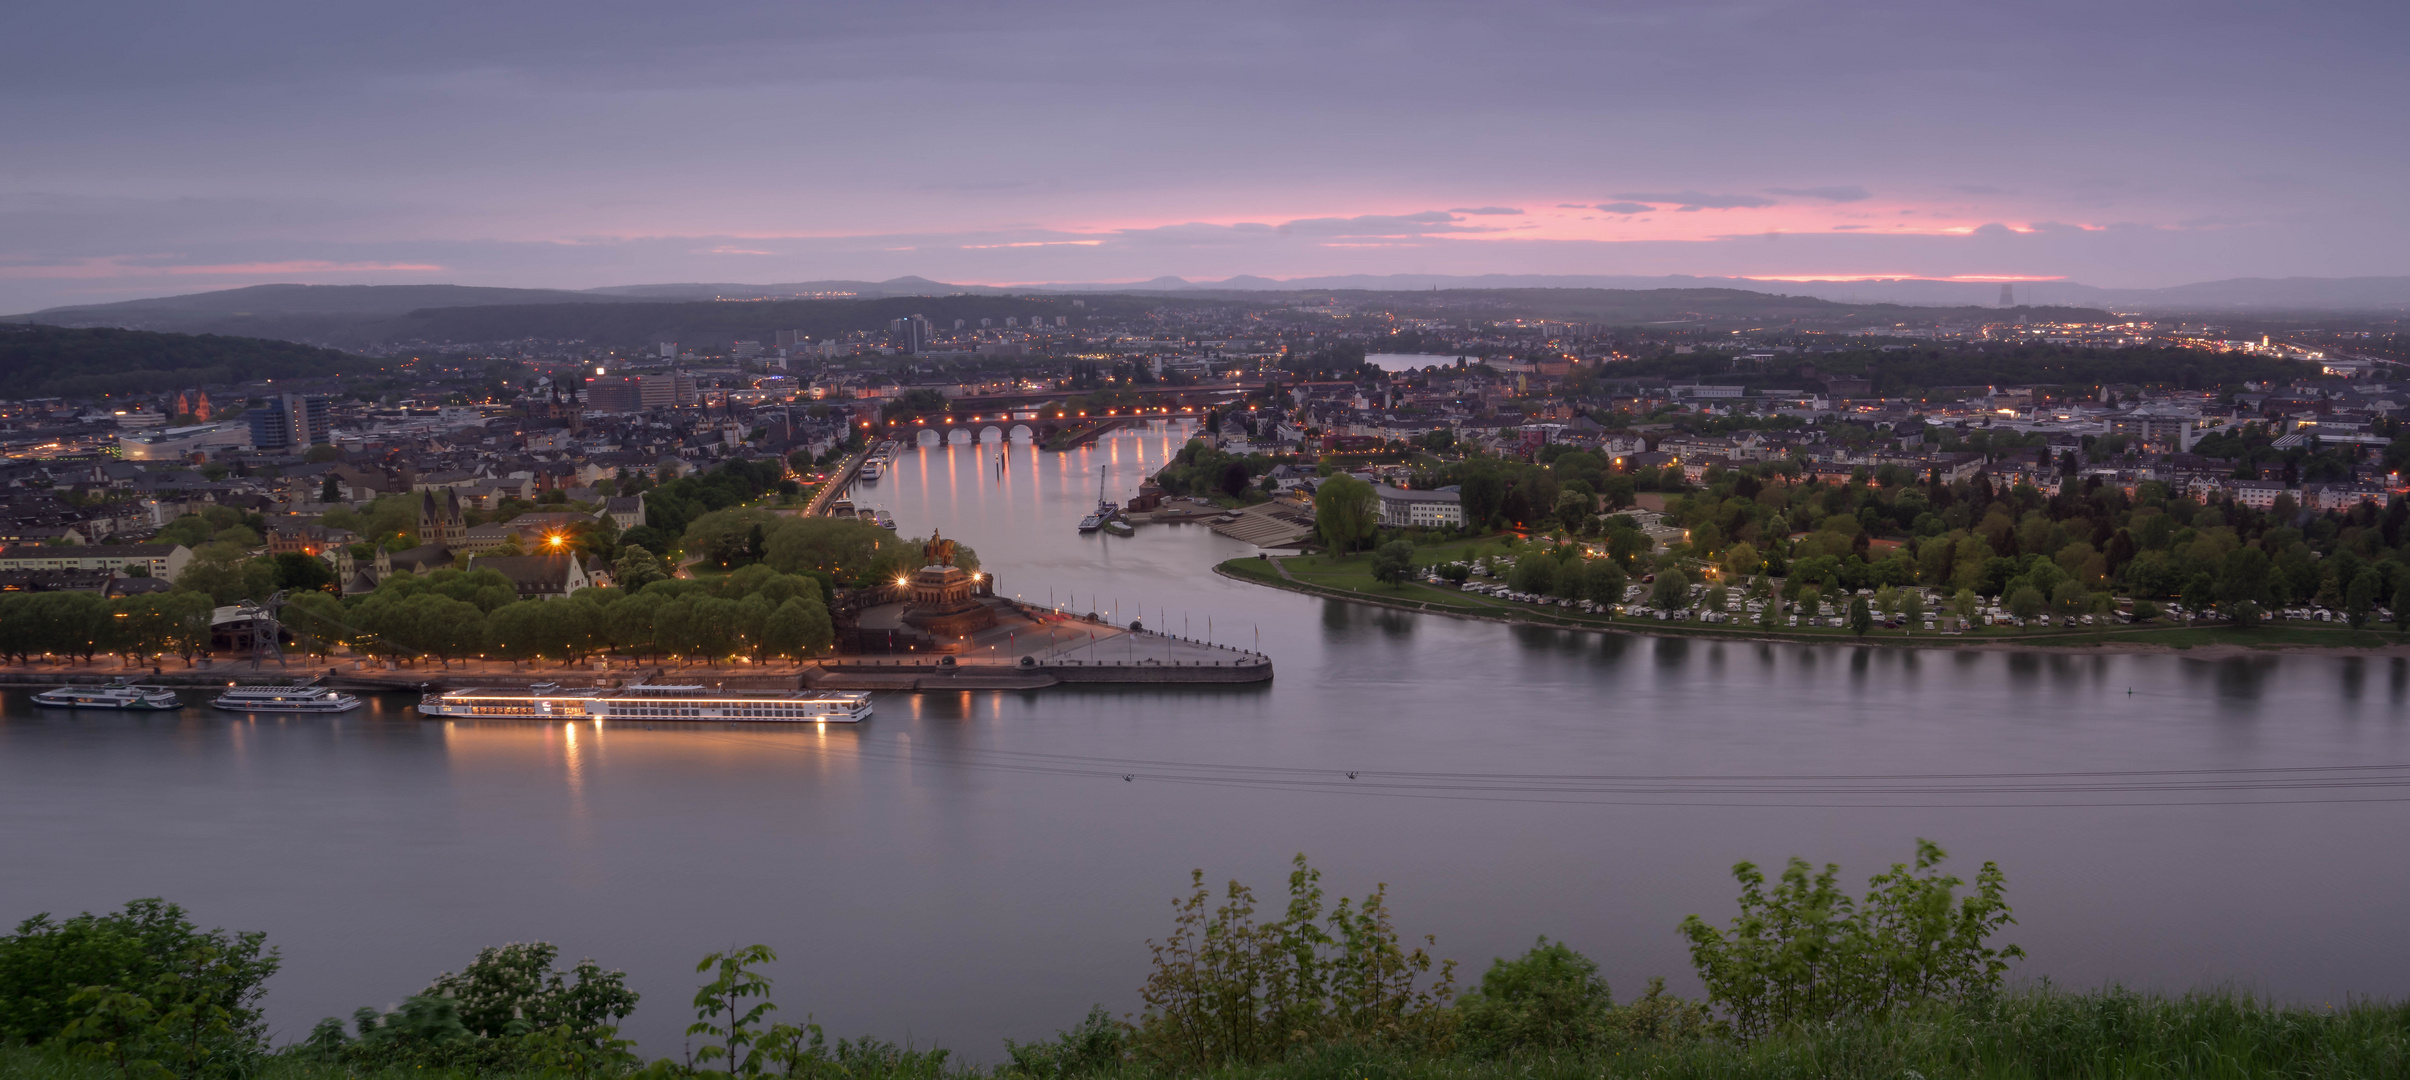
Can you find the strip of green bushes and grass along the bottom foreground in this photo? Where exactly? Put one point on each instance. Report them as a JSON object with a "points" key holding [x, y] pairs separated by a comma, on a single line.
{"points": [[1809, 982]]}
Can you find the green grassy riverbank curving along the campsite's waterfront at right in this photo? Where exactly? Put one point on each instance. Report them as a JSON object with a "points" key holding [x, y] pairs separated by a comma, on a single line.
{"points": [[2199, 642]]}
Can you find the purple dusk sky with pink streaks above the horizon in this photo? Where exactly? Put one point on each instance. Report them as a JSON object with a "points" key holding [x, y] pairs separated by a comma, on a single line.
{"points": [[177, 148]]}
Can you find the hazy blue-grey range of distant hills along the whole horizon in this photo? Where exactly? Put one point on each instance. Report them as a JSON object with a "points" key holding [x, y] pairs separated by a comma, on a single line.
{"points": [[372, 315]]}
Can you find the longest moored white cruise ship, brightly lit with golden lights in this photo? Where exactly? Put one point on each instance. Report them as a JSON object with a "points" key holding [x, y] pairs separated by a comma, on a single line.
{"points": [[649, 703]]}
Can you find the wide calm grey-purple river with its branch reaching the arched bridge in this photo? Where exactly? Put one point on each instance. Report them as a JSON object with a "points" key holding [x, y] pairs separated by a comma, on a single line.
{"points": [[982, 867]]}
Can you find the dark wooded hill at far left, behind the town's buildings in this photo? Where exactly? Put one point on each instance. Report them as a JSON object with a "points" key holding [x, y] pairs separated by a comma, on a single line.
{"points": [[64, 363]]}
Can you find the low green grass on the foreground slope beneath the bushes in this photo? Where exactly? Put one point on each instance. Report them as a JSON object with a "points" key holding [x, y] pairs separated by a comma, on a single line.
{"points": [[2033, 1035]]}
